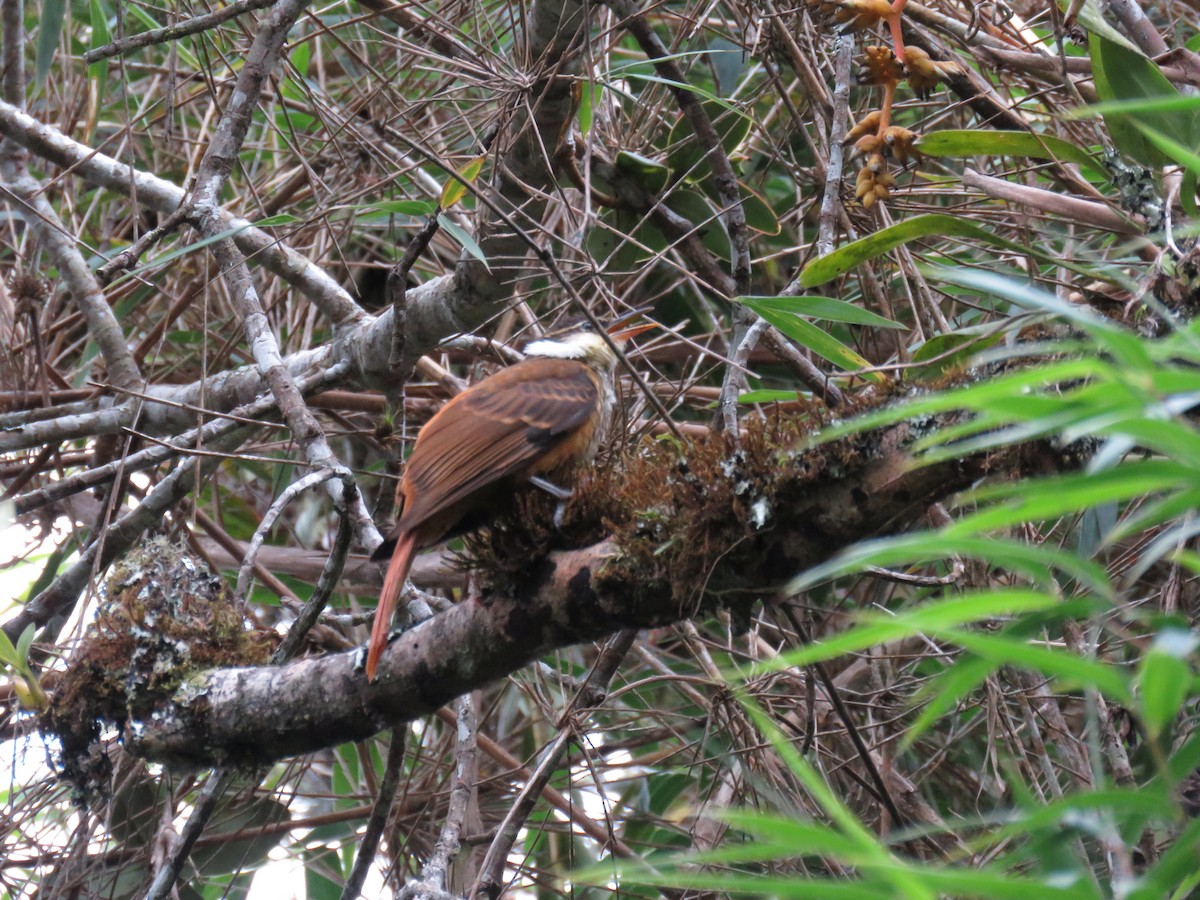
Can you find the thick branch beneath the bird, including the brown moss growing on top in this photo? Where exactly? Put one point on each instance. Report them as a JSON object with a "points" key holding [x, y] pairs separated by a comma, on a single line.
{"points": [[716, 556]]}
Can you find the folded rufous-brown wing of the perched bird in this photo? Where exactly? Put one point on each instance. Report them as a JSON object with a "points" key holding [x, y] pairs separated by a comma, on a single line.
{"points": [[495, 430]]}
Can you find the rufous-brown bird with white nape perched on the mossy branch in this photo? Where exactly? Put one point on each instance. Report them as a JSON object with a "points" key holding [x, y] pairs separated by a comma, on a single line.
{"points": [[536, 423]]}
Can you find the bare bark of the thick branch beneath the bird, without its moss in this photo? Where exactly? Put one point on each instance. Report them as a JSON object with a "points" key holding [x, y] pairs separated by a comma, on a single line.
{"points": [[571, 597]]}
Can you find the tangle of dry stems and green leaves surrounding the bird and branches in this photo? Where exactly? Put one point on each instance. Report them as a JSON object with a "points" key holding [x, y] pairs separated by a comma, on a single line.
{"points": [[1000, 705]]}
